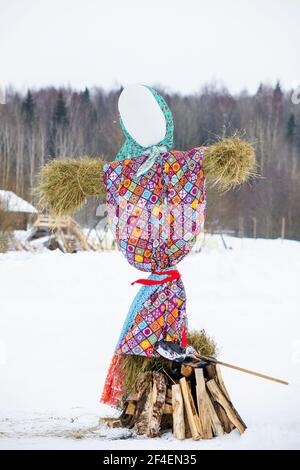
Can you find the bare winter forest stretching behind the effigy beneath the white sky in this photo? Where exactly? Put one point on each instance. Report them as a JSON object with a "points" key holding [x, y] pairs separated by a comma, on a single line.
{"points": [[57, 123]]}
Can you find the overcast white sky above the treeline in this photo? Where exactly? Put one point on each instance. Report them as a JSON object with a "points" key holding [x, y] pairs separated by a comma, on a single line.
{"points": [[180, 44]]}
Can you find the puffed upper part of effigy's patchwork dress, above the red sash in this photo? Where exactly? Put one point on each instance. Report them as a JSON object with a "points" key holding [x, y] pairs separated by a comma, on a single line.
{"points": [[156, 218]]}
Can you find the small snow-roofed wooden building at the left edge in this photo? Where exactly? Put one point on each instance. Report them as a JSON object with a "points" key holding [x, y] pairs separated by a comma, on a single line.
{"points": [[15, 212]]}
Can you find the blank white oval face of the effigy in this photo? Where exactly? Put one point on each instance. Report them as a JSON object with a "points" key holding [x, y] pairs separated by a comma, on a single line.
{"points": [[141, 115]]}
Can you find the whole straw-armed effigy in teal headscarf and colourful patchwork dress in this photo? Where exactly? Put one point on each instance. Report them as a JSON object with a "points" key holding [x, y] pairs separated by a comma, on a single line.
{"points": [[156, 198]]}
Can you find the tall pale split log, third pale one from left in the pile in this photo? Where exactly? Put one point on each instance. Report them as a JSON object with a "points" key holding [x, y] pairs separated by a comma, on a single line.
{"points": [[203, 406]]}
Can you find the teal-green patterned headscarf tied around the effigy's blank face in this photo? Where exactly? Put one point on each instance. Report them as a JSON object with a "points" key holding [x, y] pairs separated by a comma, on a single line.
{"points": [[131, 148]]}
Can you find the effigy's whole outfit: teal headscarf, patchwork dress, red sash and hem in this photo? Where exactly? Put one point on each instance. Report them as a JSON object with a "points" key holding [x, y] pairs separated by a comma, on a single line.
{"points": [[156, 204]]}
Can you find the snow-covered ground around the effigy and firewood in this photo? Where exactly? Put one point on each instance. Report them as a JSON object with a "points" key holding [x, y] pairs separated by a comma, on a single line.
{"points": [[60, 316]]}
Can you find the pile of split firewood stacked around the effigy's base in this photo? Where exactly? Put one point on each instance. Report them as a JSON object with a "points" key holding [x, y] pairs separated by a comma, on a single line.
{"points": [[197, 405]]}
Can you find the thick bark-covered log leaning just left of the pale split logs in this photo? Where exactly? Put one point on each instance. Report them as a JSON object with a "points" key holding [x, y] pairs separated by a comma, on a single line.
{"points": [[158, 398]]}
